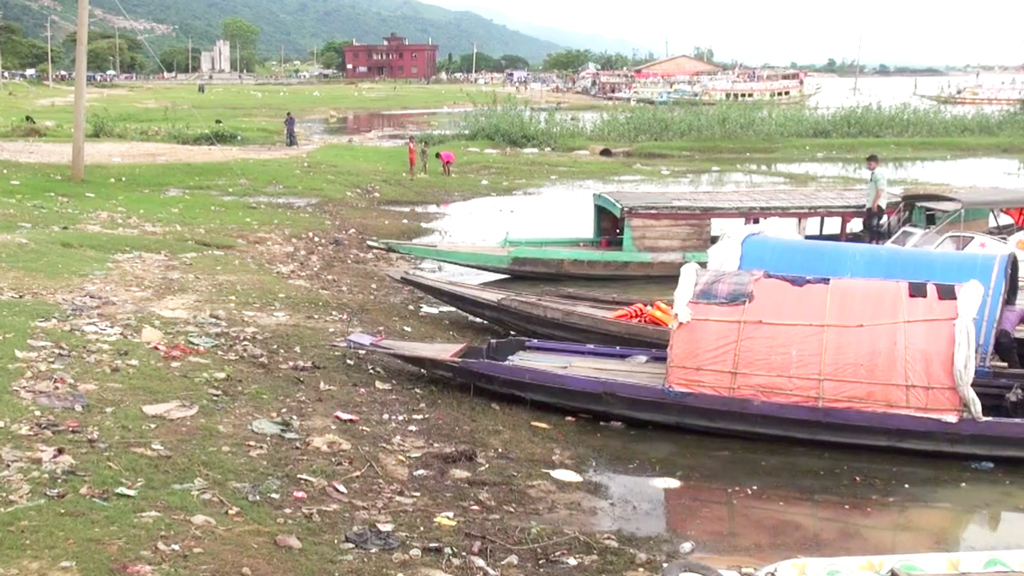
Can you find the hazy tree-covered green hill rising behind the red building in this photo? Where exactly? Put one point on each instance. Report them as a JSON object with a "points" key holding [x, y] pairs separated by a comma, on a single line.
{"points": [[298, 25]]}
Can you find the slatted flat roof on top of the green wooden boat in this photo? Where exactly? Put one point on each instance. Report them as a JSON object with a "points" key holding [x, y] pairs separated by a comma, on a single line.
{"points": [[777, 202]]}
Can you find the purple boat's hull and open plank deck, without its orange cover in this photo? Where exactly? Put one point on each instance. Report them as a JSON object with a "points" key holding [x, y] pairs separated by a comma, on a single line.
{"points": [[607, 382]]}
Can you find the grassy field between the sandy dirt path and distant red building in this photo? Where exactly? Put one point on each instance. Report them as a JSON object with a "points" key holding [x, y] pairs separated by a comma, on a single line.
{"points": [[177, 113]]}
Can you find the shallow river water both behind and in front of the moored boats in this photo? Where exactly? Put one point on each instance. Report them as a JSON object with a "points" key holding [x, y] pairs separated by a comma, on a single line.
{"points": [[754, 503]]}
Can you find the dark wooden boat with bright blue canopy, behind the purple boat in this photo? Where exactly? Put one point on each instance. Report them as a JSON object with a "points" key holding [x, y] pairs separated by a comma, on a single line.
{"points": [[580, 317]]}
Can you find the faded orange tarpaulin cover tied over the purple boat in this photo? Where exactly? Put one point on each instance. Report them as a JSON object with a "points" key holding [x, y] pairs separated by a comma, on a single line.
{"points": [[860, 345]]}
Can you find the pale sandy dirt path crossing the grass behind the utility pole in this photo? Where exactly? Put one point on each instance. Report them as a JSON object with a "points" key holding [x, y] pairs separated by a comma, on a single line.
{"points": [[139, 153]]}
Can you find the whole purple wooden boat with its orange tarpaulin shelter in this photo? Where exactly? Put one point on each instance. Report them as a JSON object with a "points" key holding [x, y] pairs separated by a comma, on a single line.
{"points": [[877, 364]]}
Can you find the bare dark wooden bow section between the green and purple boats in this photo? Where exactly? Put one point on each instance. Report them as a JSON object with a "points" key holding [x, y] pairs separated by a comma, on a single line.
{"points": [[560, 319]]}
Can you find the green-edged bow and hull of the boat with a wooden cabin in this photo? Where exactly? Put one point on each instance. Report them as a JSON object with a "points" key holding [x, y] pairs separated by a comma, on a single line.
{"points": [[547, 264]]}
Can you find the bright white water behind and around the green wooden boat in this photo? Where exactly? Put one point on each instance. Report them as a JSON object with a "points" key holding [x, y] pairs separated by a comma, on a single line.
{"points": [[565, 210]]}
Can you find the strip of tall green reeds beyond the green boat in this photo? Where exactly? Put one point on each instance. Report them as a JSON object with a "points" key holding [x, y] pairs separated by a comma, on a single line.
{"points": [[517, 126]]}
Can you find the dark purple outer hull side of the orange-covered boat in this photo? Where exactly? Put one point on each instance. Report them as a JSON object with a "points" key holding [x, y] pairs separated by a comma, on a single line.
{"points": [[644, 403]]}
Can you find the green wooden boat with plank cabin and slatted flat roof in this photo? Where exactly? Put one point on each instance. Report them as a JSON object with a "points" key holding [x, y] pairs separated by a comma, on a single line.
{"points": [[638, 234]]}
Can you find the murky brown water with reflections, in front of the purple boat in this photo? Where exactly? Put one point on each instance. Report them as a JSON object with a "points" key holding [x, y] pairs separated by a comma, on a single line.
{"points": [[765, 503]]}
